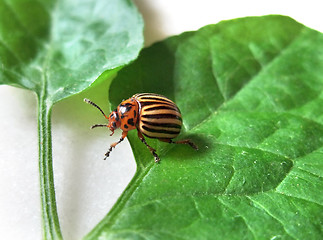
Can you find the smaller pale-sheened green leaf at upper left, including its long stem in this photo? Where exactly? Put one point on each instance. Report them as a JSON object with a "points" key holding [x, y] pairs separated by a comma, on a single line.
{"points": [[57, 49]]}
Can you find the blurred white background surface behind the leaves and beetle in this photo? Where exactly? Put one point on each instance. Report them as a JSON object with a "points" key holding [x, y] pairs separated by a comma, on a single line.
{"points": [[87, 186]]}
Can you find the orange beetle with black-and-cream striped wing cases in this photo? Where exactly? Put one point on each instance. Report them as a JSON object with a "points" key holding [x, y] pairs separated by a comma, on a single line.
{"points": [[153, 115]]}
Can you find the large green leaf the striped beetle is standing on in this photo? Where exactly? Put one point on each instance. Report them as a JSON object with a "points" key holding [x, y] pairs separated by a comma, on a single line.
{"points": [[250, 93]]}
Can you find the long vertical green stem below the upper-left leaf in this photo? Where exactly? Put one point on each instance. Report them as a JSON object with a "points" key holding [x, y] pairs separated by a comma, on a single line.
{"points": [[51, 228]]}
